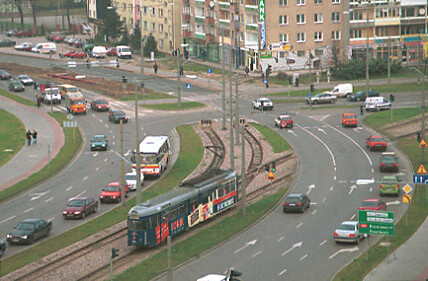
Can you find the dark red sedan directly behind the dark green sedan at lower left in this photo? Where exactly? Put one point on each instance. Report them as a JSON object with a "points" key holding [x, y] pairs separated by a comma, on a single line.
{"points": [[80, 207]]}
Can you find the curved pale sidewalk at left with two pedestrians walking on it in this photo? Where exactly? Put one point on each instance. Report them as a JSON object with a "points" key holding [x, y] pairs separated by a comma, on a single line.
{"points": [[31, 159]]}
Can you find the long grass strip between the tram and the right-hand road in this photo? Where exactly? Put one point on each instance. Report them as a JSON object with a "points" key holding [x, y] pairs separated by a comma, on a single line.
{"points": [[201, 241]]}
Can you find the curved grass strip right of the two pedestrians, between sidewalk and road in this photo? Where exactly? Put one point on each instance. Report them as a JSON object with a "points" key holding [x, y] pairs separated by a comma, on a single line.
{"points": [[64, 156]]}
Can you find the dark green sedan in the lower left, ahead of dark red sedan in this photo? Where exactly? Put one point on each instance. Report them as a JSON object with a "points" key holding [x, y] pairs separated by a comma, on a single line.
{"points": [[28, 231]]}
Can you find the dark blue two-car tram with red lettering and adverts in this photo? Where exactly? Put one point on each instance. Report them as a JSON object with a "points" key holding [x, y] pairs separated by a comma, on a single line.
{"points": [[193, 202]]}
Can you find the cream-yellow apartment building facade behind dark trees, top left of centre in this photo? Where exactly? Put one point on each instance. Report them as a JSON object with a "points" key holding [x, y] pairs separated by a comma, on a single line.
{"points": [[156, 17]]}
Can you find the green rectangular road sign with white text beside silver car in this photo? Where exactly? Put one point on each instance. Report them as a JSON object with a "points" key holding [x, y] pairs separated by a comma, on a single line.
{"points": [[376, 222]]}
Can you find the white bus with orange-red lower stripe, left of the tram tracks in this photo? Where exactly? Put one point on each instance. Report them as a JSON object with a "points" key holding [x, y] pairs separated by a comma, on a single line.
{"points": [[154, 155]]}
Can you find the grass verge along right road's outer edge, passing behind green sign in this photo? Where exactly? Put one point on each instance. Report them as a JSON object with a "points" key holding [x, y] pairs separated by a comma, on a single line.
{"points": [[416, 215]]}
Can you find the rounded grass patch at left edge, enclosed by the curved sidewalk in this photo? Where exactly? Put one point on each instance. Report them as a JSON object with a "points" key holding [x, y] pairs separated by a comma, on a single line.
{"points": [[12, 132]]}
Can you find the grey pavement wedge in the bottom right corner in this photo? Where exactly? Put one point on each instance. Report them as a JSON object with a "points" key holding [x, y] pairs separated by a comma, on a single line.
{"points": [[409, 262]]}
